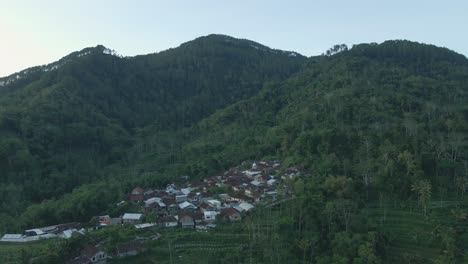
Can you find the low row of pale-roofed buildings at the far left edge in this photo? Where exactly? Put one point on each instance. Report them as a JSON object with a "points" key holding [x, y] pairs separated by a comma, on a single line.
{"points": [[61, 230]]}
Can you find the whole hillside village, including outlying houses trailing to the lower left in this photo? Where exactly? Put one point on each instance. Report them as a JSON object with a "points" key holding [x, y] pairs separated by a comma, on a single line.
{"points": [[226, 197]]}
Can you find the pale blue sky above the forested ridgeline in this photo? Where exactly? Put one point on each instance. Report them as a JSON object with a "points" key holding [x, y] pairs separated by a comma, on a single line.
{"points": [[37, 32]]}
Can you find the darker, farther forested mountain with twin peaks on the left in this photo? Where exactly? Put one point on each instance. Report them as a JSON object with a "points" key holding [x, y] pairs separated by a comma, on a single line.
{"points": [[61, 123]]}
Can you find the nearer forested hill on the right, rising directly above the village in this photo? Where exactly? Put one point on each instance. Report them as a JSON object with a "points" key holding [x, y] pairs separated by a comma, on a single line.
{"points": [[386, 115]]}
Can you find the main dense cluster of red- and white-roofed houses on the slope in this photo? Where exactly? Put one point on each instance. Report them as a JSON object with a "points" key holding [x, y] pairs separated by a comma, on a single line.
{"points": [[194, 205]]}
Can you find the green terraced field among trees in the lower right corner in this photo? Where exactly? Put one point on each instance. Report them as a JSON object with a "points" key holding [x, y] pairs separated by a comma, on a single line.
{"points": [[412, 236]]}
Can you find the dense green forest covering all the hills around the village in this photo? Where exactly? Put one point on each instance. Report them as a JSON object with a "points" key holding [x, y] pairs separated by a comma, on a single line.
{"points": [[377, 127]]}
